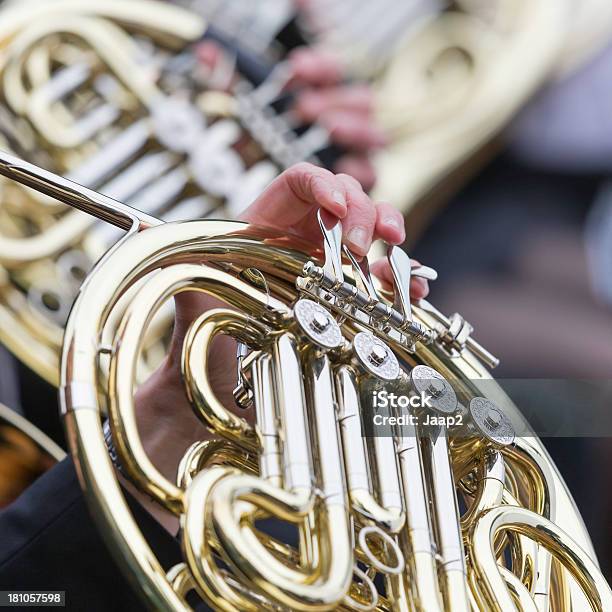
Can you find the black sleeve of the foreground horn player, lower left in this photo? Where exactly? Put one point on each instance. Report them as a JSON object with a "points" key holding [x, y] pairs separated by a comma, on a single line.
{"points": [[48, 541]]}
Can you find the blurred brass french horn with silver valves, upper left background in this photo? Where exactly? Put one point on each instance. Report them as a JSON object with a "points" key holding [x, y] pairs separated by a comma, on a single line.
{"points": [[111, 95]]}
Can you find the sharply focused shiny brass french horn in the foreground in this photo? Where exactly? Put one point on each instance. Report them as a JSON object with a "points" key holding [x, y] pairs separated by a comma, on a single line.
{"points": [[425, 518]]}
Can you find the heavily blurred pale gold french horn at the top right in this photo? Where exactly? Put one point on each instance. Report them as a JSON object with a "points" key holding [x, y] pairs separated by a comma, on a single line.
{"points": [[448, 78]]}
